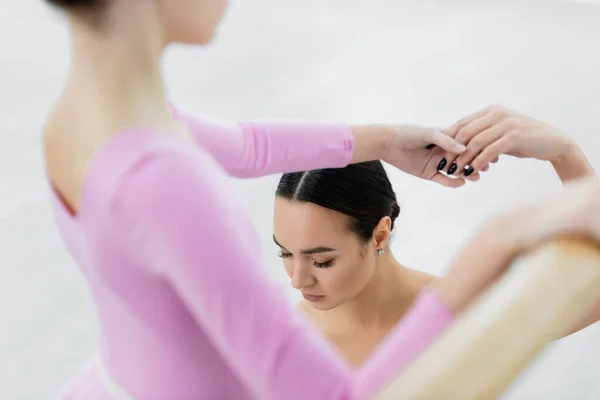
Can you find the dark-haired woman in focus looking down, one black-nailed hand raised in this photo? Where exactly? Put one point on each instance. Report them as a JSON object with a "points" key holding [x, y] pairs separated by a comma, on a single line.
{"points": [[333, 227]]}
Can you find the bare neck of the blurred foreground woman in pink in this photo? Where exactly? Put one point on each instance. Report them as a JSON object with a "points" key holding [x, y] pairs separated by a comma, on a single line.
{"points": [[115, 79]]}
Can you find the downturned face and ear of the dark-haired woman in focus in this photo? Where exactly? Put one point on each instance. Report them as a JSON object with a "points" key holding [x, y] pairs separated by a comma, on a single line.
{"points": [[324, 258]]}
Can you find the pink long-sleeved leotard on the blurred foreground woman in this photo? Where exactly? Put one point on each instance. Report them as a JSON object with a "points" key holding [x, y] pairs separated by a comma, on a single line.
{"points": [[174, 266]]}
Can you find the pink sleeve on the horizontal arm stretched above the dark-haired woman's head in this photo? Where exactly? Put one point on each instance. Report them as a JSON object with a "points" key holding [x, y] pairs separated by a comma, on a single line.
{"points": [[251, 149]]}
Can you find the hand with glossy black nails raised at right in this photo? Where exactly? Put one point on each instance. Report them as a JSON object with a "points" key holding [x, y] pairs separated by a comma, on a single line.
{"points": [[497, 130]]}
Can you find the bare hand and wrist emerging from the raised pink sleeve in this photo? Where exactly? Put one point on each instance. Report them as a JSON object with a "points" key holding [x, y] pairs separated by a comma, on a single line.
{"points": [[416, 150]]}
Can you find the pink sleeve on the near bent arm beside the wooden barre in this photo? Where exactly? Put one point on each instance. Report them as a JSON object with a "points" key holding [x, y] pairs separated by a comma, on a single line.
{"points": [[193, 233]]}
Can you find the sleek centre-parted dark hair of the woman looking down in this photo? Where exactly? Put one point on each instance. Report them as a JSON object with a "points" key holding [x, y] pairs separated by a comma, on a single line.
{"points": [[361, 191]]}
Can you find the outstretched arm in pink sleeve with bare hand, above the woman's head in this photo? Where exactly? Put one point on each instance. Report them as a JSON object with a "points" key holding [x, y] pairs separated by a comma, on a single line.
{"points": [[252, 149]]}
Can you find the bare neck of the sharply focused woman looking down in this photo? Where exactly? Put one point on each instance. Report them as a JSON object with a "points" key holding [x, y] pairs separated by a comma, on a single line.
{"points": [[390, 292]]}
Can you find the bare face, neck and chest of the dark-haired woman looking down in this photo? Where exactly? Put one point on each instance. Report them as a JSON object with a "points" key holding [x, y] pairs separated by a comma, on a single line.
{"points": [[361, 294]]}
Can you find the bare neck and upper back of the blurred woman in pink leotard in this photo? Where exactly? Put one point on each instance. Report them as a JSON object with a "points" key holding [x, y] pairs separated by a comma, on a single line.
{"points": [[115, 83]]}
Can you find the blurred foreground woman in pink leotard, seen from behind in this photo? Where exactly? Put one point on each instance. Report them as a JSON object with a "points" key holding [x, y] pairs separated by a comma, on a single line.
{"points": [[171, 259]]}
